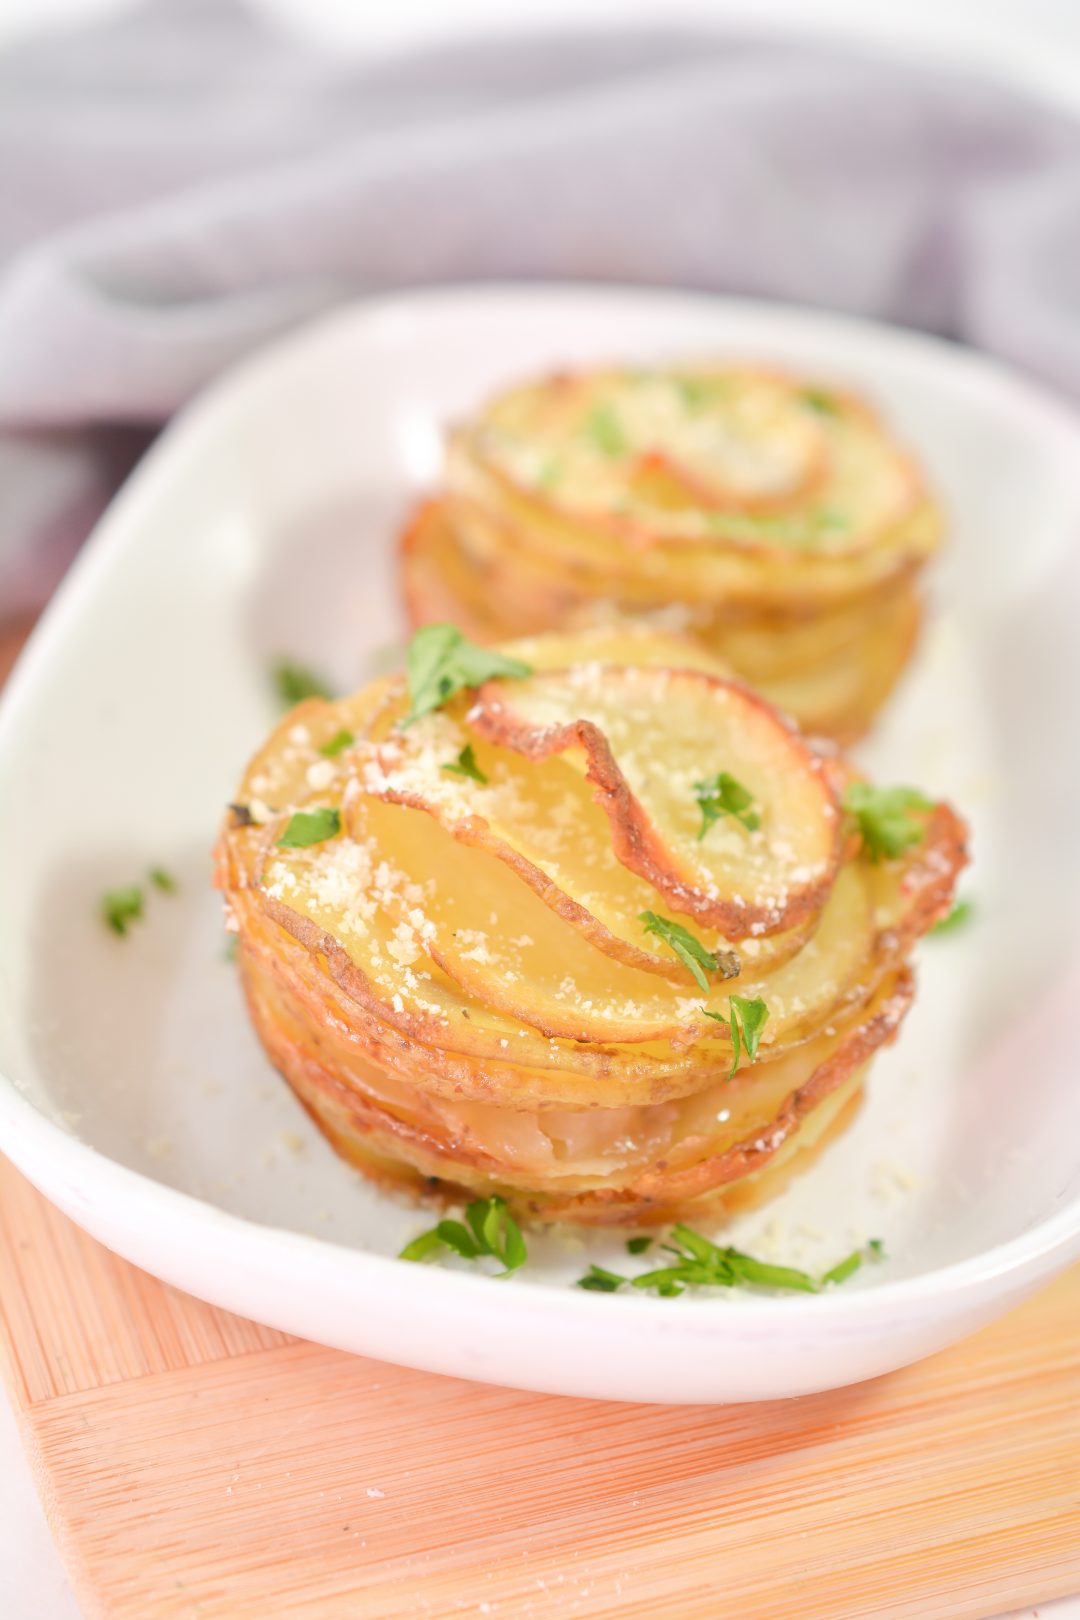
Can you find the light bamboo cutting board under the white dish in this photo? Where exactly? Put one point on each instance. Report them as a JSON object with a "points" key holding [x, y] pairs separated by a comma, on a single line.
{"points": [[197, 1467]]}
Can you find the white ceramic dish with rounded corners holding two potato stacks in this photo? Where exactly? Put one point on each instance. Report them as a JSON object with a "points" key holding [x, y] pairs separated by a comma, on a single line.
{"points": [[137, 1098]]}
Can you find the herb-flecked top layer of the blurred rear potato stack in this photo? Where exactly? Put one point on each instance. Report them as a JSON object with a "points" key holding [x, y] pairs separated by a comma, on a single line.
{"points": [[739, 456]]}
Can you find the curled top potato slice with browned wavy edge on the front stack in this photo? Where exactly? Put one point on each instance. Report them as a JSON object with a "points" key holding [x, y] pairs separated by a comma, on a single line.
{"points": [[644, 740]]}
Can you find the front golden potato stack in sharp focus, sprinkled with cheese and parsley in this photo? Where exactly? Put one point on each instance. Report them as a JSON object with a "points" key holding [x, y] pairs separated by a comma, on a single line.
{"points": [[579, 923]]}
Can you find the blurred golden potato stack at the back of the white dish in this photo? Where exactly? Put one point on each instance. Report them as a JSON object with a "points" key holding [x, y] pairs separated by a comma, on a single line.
{"points": [[775, 521]]}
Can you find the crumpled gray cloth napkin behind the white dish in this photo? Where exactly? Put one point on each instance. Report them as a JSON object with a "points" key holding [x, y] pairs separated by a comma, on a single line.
{"points": [[184, 184]]}
